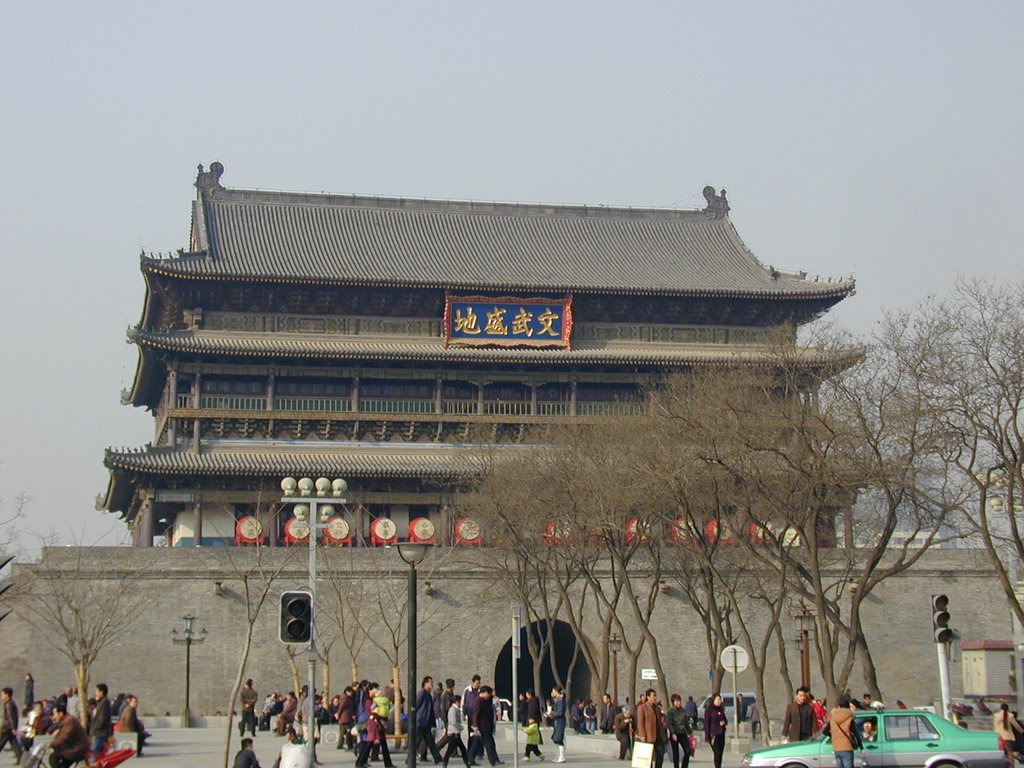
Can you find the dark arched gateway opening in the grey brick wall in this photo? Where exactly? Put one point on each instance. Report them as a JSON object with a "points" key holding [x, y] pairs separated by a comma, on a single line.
{"points": [[565, 648]]}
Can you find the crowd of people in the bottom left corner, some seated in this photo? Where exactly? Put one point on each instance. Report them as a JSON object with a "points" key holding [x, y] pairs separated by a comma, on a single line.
{"points": [[59, 716]]}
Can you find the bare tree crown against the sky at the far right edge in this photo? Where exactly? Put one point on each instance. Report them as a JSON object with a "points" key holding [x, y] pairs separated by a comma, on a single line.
{"points": [[966, 355]]}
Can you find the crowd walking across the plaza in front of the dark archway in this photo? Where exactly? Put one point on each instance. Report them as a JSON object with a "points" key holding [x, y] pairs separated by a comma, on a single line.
{"points": [[454, 726]]}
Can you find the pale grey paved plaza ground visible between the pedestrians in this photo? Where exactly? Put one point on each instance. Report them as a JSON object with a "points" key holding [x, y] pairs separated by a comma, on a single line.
{"points": [[203, 748]]}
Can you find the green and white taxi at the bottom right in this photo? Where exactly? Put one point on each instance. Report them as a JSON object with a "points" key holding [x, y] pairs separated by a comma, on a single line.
{"points": [[898, 739]]}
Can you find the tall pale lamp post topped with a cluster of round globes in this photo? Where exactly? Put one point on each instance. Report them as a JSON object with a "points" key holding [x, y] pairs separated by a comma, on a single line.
{"points": [[316, 499]]}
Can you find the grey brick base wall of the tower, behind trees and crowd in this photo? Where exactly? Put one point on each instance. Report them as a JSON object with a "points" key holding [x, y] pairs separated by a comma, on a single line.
{"points": [[465, 624]]}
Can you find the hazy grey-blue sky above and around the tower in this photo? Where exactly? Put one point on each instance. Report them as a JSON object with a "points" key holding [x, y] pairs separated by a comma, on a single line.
{"points": [[875, 139]]}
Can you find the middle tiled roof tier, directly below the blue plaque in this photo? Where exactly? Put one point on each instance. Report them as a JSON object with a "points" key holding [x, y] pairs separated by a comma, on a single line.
{"points": [[430, 350]]}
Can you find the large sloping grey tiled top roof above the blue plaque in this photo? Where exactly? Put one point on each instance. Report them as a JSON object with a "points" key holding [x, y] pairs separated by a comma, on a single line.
{"points": [[327, 239]]}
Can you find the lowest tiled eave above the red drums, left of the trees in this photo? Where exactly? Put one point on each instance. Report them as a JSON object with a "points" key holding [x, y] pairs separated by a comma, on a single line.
{"points": [[332, 459]]}
